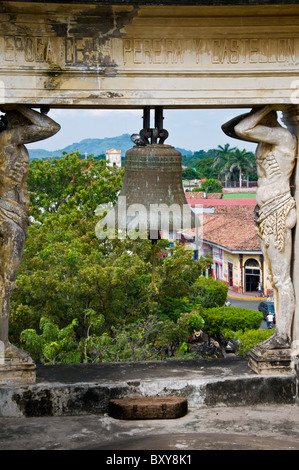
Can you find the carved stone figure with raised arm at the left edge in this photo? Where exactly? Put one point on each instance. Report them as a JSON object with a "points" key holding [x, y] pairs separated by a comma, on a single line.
{"points": [[18, 126]]}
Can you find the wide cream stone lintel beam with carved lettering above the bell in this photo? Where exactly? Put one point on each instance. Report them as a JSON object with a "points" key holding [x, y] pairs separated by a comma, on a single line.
{"points": [[131, 55]]}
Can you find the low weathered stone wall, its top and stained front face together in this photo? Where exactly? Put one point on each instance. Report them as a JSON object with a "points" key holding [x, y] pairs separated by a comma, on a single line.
{"points": [[230, 386]]}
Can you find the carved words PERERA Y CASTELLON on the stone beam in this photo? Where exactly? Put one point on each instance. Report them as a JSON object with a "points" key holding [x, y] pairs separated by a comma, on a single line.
{"points": [[210, 52]]}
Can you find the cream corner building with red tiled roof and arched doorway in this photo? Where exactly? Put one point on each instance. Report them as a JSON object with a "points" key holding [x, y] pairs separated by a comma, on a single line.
{"points": [[232, 240]]}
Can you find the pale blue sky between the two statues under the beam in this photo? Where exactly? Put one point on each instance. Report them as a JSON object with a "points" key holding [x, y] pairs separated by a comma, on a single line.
{"points": [[190, 129]]}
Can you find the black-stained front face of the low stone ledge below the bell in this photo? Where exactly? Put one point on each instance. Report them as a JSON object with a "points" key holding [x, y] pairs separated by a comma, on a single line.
{"points": [[75, 399]]}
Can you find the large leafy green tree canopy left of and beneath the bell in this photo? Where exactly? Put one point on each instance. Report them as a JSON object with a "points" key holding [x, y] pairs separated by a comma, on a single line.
{"points": [[66, 271]]}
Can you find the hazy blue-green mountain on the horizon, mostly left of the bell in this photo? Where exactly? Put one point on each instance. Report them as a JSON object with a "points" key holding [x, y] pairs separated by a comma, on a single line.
{"points": [[93, 146]]}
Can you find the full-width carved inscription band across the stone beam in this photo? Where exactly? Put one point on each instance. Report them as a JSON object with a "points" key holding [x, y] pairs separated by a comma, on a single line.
{"points": [[193, 53]]}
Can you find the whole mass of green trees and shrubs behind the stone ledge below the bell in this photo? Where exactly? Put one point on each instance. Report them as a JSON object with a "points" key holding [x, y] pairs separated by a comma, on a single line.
{"points": [[80, 299]]}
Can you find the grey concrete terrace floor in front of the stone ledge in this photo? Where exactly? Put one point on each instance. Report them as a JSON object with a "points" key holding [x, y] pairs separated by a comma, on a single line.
{"points": [[270, 427]]}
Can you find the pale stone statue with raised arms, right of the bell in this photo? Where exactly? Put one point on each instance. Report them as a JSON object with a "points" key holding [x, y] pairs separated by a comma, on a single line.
{"points": [[275, 213]]}
